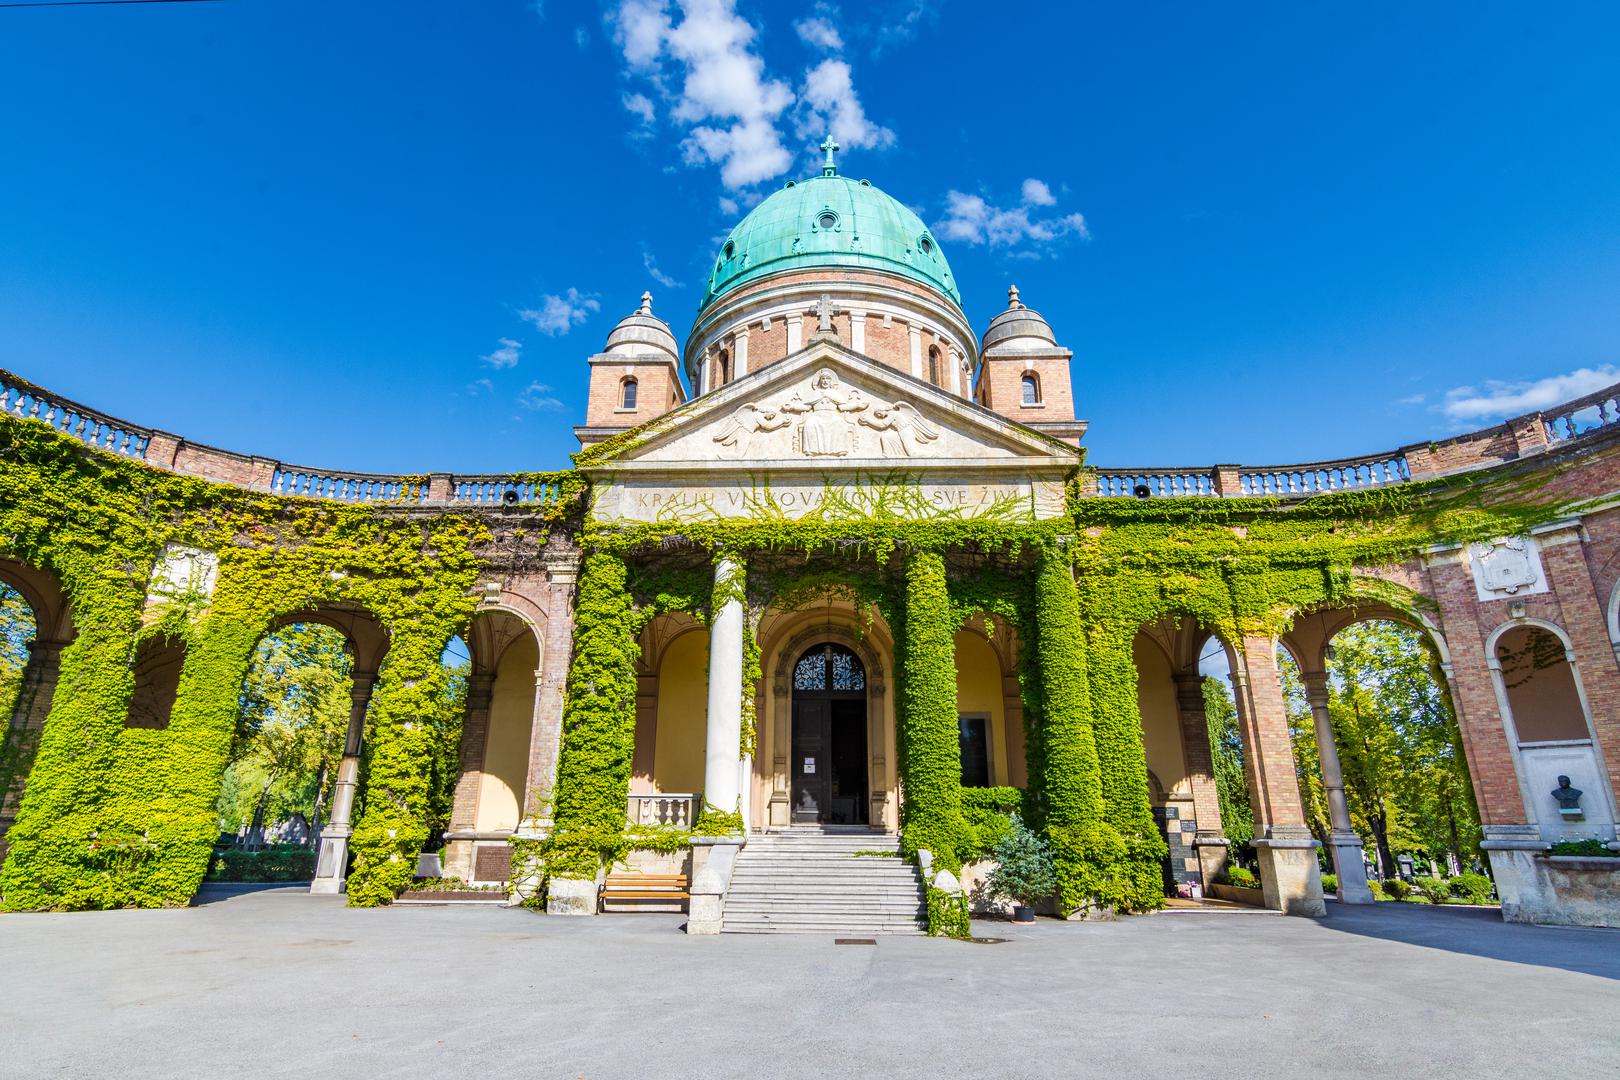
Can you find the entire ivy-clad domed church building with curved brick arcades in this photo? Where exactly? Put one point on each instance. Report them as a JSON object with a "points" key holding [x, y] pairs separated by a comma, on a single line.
{"points": [[833, 566]]}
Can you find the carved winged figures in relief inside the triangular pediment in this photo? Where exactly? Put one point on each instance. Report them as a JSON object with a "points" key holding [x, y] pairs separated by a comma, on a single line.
{"points": [[827, 420]]}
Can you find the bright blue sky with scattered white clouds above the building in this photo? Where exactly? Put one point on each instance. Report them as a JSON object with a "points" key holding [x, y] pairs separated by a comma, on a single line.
{"points": [[386, 236]]}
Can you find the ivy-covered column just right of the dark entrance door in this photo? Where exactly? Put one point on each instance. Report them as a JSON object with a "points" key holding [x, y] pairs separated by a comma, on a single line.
{"points": [[929, 731]]}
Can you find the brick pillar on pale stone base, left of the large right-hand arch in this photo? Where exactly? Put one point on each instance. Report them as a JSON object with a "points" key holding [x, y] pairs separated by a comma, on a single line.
{"points": [[1290, 880]]}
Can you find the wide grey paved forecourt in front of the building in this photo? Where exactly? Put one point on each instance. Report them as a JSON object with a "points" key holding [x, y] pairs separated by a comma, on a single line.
{"points": [[278, 984]]}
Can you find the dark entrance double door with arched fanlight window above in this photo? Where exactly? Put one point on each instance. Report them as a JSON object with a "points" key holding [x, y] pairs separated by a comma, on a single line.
{"points": [[830, 738]]}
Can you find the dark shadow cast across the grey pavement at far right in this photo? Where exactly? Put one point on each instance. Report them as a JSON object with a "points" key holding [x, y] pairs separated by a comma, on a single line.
{"points": [[1481, 933]]}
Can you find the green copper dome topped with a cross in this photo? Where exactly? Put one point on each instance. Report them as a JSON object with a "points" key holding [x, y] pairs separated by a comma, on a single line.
{"points": [[830, 221]]}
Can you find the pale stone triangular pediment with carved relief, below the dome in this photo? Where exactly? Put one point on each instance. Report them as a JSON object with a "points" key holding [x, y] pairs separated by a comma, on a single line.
{"points": [[830, 409]]}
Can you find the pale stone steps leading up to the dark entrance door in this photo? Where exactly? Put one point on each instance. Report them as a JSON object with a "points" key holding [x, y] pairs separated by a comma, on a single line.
{"points": [[808, 880]]}
